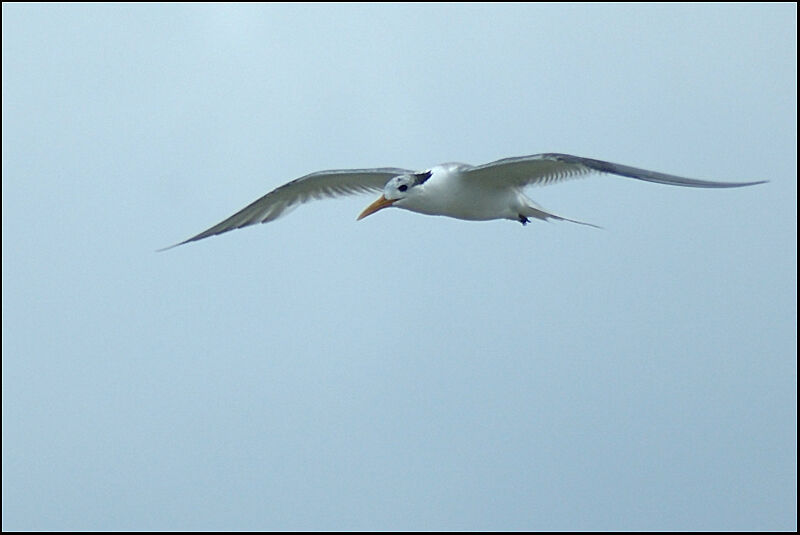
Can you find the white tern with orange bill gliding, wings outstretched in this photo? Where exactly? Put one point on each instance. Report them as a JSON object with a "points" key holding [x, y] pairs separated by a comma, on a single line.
{"points": [[474, 193]]}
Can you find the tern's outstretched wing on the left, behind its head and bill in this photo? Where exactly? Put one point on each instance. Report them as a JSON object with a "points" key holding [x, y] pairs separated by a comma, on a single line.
{"points": [[319, 185]]}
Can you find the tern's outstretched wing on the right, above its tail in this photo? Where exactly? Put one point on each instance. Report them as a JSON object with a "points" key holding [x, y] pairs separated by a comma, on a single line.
{"points": [[540, 169]]}
